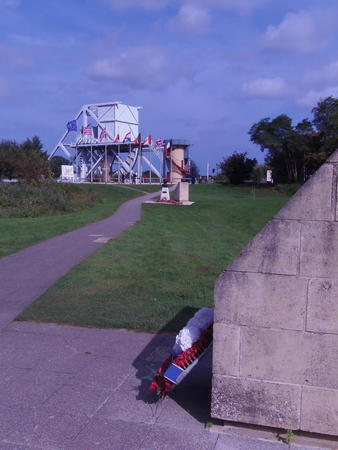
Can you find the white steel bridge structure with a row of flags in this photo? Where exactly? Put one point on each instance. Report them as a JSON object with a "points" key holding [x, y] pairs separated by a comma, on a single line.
{"points": [[103, 143]]}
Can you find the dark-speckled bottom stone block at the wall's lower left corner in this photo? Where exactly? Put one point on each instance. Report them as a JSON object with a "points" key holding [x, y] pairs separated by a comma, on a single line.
{"points": [[256, 401]]}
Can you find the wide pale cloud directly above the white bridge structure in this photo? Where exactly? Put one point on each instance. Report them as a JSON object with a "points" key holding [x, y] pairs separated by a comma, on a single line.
{"points": [[140, 67]]}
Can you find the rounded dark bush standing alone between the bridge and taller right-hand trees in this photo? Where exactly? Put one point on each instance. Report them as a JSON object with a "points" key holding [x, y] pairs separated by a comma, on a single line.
{"points": [[237, 167]]}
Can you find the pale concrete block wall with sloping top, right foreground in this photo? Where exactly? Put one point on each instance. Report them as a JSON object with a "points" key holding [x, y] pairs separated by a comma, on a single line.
{"points": [[275, 359]]}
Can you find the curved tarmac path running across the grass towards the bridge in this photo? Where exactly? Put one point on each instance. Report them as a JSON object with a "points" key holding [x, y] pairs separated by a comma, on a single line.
{"points": [[25, 275]]}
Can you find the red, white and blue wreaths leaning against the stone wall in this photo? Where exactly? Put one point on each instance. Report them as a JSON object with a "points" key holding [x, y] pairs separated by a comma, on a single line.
{"points": [[191, 343]]}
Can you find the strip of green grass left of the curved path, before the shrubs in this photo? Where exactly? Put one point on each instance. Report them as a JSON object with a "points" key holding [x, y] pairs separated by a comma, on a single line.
{"points": [[19, 232]]}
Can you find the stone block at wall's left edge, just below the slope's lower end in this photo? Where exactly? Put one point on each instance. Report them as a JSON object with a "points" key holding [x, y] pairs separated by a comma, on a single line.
{"points": [[264, 300]]}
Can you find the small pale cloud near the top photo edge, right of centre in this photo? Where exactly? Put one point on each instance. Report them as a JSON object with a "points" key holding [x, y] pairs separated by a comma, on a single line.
{"points": [[192, 18]]}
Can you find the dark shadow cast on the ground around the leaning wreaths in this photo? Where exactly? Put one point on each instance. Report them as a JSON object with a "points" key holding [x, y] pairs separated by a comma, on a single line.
{"points": [[193, 394]]}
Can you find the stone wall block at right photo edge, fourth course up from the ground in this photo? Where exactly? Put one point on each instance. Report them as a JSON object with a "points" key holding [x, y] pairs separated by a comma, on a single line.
{"points": [[319, 249]]}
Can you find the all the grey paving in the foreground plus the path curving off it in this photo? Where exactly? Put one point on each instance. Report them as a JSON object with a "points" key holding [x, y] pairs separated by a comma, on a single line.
{"points": [[64, 387]]}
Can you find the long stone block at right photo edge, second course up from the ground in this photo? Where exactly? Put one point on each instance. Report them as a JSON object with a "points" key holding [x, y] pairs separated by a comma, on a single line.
{"points": [[290, 357]]}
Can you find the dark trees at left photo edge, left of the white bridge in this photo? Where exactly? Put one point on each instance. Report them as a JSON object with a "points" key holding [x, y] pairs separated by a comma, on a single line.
{"points": [[28, 162]]}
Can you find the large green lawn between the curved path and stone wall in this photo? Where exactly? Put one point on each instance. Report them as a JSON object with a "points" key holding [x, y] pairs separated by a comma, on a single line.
{"points": [[153, 272]]}
